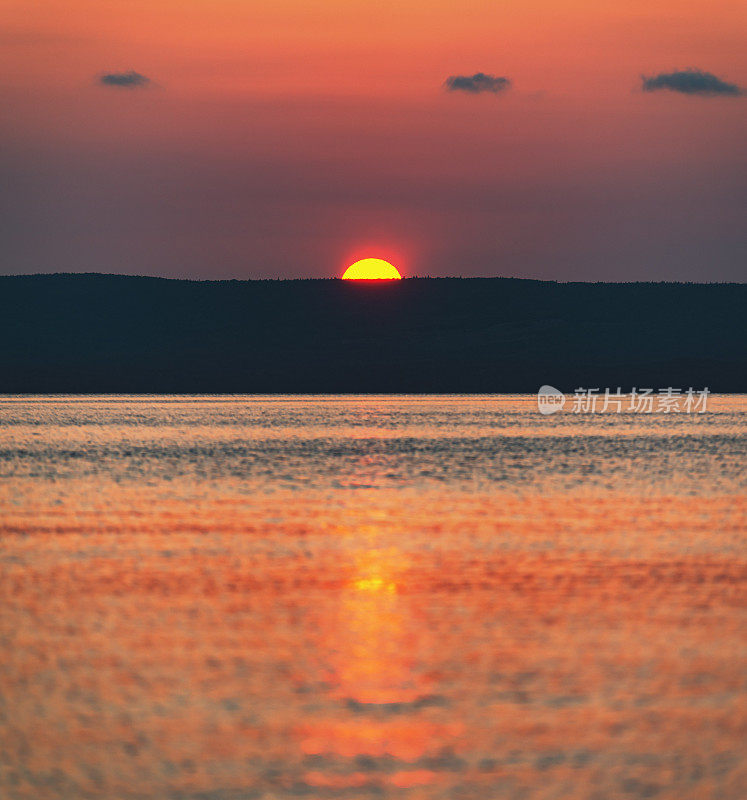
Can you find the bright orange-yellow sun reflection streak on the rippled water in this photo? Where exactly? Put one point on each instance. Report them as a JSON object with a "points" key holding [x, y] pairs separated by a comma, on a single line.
{"points": [[371, 651]]}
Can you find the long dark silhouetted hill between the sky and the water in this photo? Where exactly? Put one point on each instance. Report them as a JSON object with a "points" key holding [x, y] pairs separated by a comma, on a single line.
{"points": [[113, 333]]}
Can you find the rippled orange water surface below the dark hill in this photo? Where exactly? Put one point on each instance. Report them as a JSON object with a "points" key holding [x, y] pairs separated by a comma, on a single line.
{"points": [[400, 597]]}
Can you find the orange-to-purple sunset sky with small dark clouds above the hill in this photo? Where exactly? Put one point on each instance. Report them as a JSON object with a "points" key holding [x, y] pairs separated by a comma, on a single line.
{"points": [[570, 140]]}
